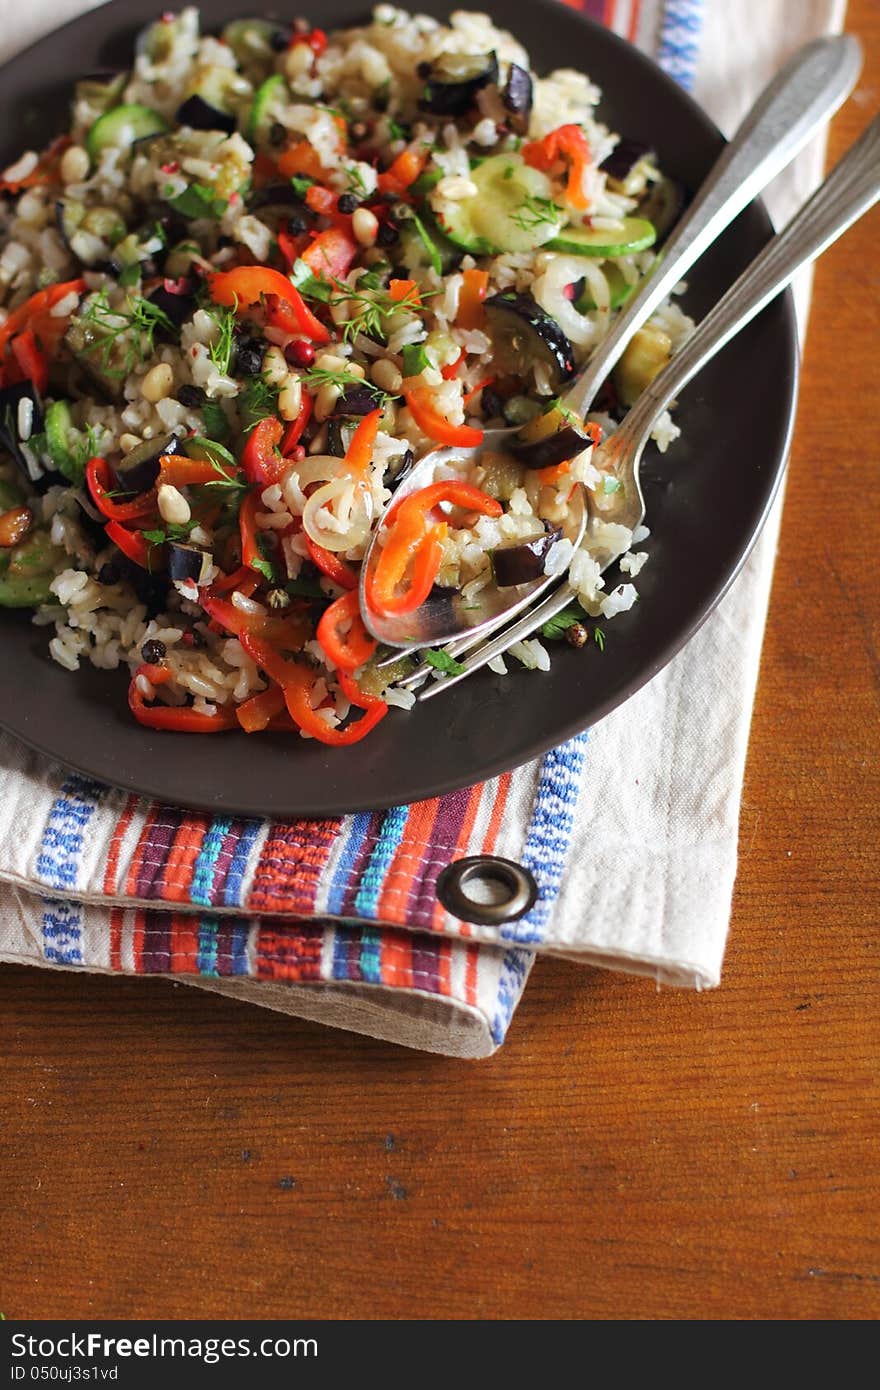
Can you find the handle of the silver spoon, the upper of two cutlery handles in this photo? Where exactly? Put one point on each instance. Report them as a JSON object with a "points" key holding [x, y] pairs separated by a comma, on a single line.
{"points": [[797, 102]]}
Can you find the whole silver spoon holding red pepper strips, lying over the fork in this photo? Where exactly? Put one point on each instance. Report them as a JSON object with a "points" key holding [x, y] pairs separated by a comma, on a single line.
{"points": [[797, 102]]}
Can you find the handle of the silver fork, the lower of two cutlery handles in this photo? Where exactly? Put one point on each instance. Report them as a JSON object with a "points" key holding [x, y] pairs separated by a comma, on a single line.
{"points": [[850, 190]]}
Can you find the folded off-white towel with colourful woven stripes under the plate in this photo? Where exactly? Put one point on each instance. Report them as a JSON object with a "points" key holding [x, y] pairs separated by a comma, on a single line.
{"points": [[630, 832]]}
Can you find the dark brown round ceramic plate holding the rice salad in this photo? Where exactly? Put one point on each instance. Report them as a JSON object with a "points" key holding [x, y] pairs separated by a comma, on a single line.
{"points": [[707, 501]]}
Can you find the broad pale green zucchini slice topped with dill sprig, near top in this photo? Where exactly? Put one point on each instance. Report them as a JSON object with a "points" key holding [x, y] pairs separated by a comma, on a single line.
{"points": [[512, 209]]}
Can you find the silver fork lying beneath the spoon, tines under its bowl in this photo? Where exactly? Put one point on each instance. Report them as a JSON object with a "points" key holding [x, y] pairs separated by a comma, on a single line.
{"points": [[847, 194]]}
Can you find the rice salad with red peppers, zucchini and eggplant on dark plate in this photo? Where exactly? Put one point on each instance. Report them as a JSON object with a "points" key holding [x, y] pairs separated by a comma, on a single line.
{"points": [[261, 276]]}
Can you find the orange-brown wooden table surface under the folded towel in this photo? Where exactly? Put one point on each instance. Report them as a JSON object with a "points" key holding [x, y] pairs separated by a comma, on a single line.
{"points": [[629, 1153]]}
